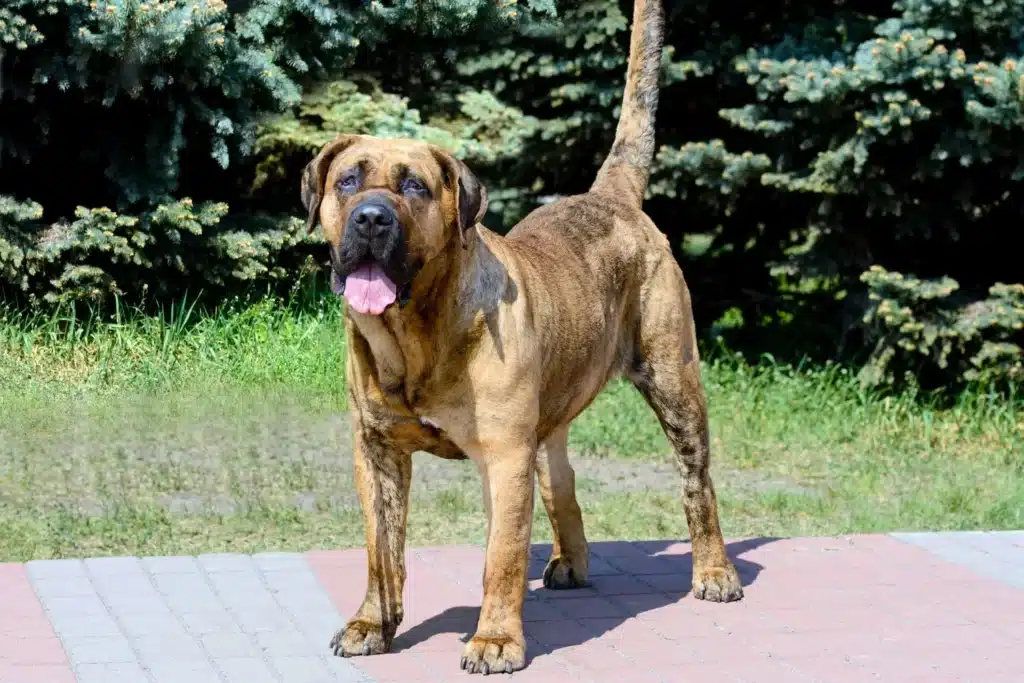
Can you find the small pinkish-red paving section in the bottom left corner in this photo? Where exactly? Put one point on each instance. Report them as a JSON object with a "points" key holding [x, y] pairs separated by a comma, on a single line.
{"points": [[30, 651]]}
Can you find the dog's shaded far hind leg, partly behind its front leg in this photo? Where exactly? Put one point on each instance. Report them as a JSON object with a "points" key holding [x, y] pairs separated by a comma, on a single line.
{"points": [[570, 557]]}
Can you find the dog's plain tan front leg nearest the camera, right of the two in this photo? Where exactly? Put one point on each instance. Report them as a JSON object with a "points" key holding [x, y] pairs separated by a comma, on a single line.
{"points": [[499, 646]]}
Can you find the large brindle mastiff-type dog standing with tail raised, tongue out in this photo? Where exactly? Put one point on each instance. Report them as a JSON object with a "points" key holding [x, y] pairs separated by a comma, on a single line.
{"points": [[472, 346]]}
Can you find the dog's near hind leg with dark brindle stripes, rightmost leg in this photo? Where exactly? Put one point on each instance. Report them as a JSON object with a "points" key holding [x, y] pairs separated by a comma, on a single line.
{"points": [[667, 371]]}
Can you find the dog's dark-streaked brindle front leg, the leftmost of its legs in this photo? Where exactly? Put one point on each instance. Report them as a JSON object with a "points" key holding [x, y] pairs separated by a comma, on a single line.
{"points": [[383, 474]]}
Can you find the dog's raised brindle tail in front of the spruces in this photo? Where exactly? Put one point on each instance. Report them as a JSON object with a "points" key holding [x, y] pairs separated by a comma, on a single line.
{"points": [[626, 170]]}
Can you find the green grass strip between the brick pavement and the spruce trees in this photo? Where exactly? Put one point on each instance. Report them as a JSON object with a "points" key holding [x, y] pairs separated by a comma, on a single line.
{"points": [[182, 434]]}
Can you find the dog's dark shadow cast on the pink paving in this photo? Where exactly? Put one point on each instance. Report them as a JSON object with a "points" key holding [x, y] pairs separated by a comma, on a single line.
{"points": [[628, 579]]}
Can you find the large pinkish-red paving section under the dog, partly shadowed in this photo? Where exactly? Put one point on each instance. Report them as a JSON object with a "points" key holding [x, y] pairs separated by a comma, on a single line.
{"points": [[860, 609]]}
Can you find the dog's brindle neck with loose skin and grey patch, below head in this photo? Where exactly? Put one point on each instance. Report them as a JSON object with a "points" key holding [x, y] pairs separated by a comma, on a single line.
{"points": [[453, 296]]}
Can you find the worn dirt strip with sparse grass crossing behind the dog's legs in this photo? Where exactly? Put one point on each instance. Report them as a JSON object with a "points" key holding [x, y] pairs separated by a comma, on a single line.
{"points": [[228, 454]]}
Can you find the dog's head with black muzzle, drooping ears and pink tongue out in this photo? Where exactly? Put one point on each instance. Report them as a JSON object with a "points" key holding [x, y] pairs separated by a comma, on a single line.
{"points": [[388, 207]]}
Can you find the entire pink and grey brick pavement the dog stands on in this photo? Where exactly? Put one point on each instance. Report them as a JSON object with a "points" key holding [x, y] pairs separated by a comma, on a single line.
{"points": [[886, 609]]}
